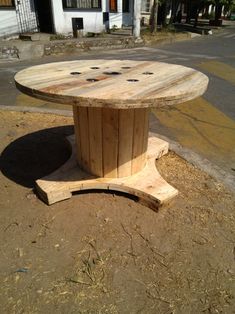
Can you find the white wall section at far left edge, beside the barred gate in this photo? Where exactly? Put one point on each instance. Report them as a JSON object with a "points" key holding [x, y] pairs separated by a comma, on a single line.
{"points": [[8, 23]]}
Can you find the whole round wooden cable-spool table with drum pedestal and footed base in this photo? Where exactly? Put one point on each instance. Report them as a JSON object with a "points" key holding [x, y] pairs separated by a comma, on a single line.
{"points": [[111, 100]]}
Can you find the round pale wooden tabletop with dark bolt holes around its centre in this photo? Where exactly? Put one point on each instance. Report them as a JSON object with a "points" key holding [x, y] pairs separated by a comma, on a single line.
{"points": [[112, 83]]}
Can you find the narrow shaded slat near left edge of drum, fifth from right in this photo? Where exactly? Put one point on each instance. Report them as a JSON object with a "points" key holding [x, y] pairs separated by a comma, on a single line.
{"points": [[84, 137]]}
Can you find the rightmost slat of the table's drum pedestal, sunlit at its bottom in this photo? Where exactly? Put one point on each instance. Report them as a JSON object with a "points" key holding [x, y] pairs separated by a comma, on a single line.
{"points": [[139, 139]]}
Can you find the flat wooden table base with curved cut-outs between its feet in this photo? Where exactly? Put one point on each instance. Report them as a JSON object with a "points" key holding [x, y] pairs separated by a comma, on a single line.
{"points": [[147, 185]]}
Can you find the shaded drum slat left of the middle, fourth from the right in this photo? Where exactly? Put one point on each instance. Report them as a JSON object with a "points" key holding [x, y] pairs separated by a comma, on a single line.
{"points": [[96, 146]]}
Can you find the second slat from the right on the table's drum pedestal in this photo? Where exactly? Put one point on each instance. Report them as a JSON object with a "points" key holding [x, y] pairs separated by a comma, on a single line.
{"points": [[126, 126]]}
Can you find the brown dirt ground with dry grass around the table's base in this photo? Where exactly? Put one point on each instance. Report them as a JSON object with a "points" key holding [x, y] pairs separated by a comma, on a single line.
{"points": [[103, 252]]}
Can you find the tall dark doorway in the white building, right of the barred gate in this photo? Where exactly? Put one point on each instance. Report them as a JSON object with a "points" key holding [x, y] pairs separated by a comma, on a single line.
{"points": [[44, 15]]}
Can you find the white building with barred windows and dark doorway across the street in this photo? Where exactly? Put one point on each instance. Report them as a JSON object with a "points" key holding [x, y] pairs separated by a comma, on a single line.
{"points": [[63, 16]]}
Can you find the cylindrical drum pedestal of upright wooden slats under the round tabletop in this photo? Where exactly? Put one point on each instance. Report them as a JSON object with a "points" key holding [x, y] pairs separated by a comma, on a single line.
{"points": [[111, 143]]}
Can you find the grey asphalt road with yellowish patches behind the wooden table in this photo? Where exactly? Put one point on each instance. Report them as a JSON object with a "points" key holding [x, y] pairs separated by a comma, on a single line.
{"points": [[205, 125]]}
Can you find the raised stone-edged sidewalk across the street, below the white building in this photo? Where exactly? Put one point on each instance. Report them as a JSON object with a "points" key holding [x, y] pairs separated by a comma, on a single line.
{"points": [[26, 49]]}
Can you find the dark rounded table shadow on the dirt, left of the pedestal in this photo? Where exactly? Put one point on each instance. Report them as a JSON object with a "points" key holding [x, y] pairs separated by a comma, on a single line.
{"points": [[36, 155]]}
